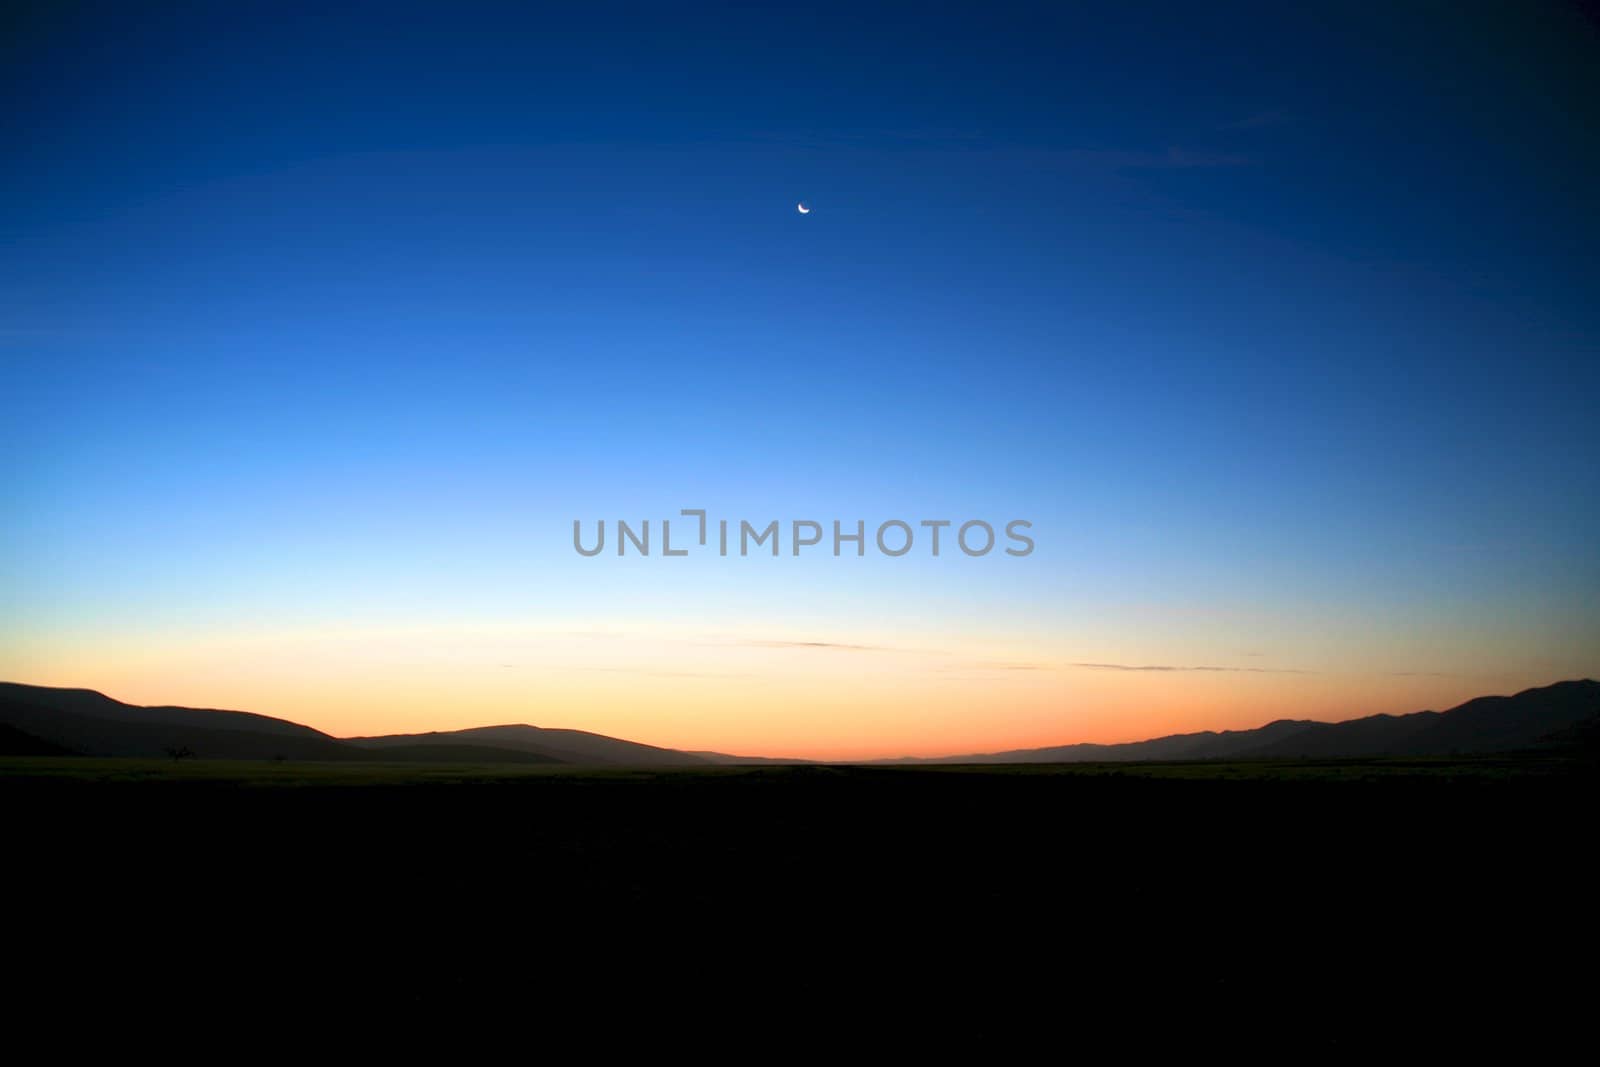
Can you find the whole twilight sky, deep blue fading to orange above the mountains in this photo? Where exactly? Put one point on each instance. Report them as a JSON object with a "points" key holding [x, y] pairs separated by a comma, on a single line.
{"points": [[319, 329]]}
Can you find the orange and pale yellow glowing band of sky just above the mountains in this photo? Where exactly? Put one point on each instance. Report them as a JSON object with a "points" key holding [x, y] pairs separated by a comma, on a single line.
{"points": [[786, 697]]}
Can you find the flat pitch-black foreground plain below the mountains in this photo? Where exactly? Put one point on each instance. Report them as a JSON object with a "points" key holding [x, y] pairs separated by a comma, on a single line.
{"points": [[1324, 905]]}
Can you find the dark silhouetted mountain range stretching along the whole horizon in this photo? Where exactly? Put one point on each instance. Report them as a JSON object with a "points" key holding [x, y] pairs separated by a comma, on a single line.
{"points": [[41, 721]]}
